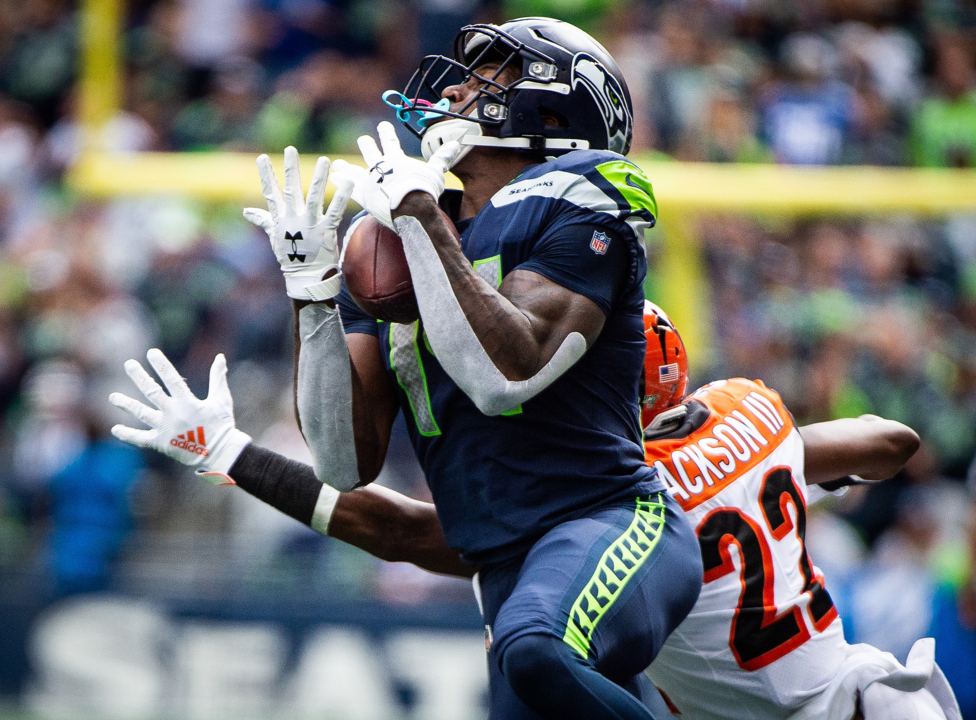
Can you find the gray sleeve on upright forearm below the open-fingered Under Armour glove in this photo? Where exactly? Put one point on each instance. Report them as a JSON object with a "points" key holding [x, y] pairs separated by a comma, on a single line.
{"points": [[325, 396]]}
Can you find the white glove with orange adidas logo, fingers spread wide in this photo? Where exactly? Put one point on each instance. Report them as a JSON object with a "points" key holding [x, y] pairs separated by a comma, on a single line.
{"points": [[199, 433]]}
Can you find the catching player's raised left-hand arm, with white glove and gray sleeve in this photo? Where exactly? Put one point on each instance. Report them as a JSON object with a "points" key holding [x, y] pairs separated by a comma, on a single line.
{"points": [[341, 423]]}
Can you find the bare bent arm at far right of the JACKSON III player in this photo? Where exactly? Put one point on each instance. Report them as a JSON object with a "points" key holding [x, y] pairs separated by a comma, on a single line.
{"points": [[869, 447]]}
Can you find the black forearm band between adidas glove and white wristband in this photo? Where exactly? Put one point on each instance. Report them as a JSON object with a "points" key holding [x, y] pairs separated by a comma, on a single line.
{"points": [[284, 484]]}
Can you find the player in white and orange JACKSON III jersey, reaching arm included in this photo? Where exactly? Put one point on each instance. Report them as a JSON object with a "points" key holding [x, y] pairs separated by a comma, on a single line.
{"points": [[763, 640]]}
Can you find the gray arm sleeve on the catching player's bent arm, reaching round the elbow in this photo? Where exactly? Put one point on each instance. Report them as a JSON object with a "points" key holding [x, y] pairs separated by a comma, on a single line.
{"points": [[453, 340]]}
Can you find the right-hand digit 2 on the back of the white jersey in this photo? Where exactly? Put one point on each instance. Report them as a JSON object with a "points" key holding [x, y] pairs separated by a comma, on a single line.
{"points": [[779, 490]]}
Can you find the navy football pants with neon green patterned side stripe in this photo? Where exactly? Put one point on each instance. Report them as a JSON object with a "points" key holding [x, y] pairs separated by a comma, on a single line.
{"points": [[574, 622]]}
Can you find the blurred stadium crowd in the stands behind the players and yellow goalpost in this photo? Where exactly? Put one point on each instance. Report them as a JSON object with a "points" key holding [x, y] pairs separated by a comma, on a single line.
{"points": [[841, 316]]}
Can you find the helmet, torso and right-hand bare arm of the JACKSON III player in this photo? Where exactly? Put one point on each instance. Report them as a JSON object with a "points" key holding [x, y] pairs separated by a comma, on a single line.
{"points": [[764, 634]]}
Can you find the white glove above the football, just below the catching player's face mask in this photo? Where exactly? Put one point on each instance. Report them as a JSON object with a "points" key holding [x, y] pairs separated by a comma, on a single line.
{"points": [[393, 175]]}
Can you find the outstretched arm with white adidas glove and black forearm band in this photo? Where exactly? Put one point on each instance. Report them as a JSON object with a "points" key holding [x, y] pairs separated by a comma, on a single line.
{"points": [[203, 435]]}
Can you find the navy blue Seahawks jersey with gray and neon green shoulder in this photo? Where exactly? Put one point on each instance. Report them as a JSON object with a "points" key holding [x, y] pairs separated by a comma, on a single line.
{"points": [[500, 483]]}
